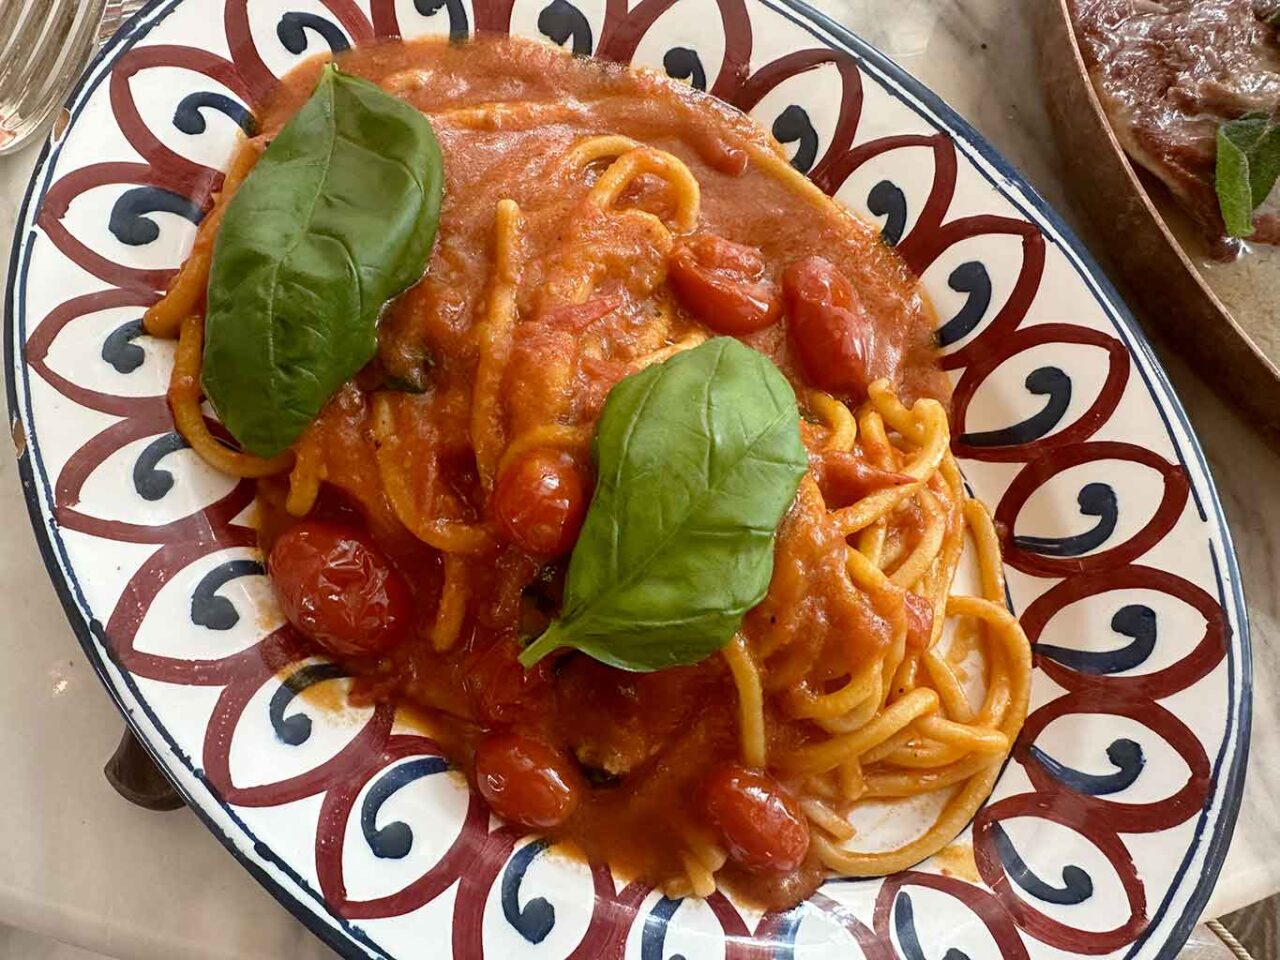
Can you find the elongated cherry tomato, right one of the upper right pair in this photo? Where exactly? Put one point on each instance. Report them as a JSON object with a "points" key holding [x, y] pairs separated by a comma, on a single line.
{"points": [[828, 324]]}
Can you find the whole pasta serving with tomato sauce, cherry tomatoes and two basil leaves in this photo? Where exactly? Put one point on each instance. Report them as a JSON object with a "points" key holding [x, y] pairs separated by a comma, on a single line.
{"points": [[592, 432]]}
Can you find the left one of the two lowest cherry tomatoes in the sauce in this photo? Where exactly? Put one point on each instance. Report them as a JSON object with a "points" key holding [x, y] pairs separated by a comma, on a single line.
{"points": [[525, 781]]}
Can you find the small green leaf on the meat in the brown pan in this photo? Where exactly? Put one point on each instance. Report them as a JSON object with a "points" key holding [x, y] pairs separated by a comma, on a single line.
{"points": [[1249, 166]]}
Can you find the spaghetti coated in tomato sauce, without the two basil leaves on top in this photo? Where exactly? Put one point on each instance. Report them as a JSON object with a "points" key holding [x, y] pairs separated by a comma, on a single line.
{"points": [[863, 675]]}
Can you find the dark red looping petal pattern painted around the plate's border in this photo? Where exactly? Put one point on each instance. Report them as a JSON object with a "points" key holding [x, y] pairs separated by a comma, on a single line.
{"points": [[477, 858]]}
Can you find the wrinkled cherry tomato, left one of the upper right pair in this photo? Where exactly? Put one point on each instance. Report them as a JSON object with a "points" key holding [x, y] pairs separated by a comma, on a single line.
{"points": [[723, 284]]}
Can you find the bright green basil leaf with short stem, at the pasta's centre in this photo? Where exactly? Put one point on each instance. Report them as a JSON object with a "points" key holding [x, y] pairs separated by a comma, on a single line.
{"points": [[698, 461]]}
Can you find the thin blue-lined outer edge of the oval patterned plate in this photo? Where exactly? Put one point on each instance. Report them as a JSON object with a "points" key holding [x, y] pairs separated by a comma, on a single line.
{"points": [[345, 936]]}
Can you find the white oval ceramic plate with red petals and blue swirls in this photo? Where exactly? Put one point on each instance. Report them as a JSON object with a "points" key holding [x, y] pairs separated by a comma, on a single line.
{"points": [[1109, 825]]}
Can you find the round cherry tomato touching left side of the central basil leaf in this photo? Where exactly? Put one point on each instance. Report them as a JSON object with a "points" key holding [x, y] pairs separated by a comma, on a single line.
{"points": [[541, 502]]}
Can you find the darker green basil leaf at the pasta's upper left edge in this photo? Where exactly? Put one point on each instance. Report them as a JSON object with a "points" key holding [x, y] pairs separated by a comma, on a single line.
{"points": [[336, 220]]}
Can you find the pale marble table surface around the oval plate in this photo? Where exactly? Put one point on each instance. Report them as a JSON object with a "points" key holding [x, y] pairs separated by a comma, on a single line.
{"points": [[86, 868]]}
